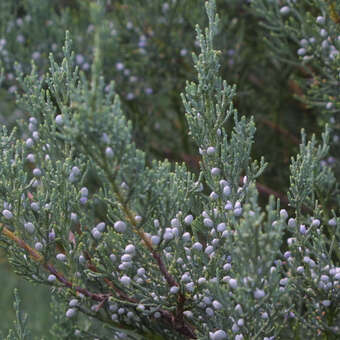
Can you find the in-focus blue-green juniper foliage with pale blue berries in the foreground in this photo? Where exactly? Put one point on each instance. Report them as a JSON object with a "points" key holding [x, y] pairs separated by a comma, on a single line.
{"points": [[148, 250]]}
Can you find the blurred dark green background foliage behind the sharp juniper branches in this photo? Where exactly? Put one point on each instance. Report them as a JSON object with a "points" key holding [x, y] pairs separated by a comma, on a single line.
{"points": [[146, 49]]}
